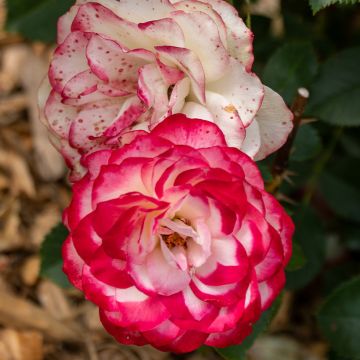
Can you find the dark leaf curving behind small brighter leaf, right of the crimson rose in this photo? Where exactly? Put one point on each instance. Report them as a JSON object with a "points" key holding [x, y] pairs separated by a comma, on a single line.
{"points": [[309, 234]]}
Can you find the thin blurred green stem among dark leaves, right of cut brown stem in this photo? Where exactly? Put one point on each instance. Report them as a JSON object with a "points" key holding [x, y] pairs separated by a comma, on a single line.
{"points": [[320, 166]]}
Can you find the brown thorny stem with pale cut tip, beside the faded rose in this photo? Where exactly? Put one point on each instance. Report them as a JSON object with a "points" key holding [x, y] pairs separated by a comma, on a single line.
{"points": [[282, 158]]}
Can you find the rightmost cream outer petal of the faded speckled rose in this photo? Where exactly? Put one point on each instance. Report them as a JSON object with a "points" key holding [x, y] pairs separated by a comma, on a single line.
{"points": [[275, 123]]}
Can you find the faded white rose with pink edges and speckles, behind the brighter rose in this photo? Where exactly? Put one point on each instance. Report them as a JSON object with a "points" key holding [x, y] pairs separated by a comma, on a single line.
{"points": [[124, 65]]}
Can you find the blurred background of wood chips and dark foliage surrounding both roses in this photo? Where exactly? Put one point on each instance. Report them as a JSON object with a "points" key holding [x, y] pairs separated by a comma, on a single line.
{"points": [[42, 317]]}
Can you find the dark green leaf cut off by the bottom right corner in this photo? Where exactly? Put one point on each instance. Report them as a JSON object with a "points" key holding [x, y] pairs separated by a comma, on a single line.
{"points": [[339, 319]]}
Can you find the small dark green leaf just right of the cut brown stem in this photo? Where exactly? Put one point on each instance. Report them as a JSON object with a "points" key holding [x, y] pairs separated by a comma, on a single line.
{"points": [[307, 144]]}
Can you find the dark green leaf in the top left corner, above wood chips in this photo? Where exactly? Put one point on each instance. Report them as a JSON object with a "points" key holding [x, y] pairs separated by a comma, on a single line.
{"points": [[36, 19]]}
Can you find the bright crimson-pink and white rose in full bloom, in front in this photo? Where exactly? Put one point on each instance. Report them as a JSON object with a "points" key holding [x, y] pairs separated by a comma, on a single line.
{"points": [[174, 238]]}
